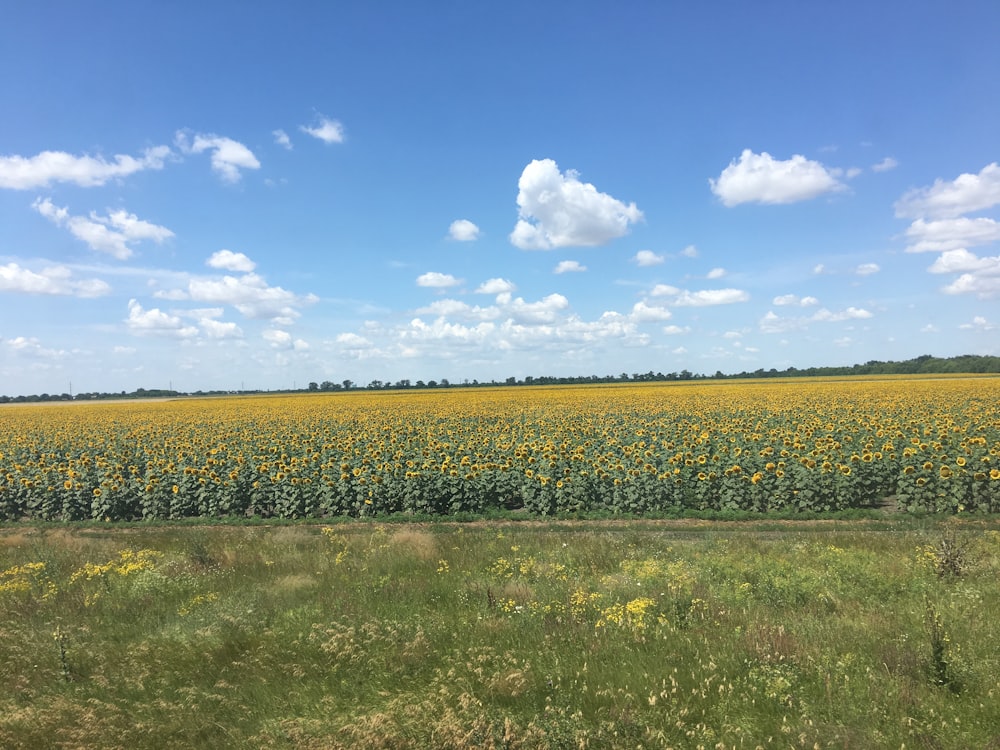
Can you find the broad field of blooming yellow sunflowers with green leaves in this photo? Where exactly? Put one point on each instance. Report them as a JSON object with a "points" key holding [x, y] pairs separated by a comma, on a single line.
{"points": [[797, 445]]}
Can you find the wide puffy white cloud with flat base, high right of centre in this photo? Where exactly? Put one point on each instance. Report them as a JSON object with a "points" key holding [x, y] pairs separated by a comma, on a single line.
{"points": [[759, 178]]}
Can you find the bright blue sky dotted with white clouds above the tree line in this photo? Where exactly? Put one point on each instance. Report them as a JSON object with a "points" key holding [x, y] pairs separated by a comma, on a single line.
{"points": [[262, 194]]}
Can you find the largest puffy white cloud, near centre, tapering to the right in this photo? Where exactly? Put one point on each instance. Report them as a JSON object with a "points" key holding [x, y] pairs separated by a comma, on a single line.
{"points": [[558, 210]]}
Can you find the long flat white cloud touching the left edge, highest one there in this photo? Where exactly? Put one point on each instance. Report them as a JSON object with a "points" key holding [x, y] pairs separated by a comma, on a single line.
{"points": [[21, 173]]}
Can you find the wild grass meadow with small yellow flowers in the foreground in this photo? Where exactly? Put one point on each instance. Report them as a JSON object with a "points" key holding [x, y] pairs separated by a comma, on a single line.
{"points": [[844, 634]]}
